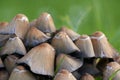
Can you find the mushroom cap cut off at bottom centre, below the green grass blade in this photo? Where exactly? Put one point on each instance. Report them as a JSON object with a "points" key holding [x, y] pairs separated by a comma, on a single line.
{"points": [[64, 75]]}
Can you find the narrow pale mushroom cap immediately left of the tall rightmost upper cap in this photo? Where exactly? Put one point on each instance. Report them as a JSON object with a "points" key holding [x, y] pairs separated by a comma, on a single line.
{"points": [[85, 45]]}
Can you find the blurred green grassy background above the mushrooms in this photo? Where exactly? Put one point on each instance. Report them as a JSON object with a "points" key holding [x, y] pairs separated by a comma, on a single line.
{"points": [[83, 16]]}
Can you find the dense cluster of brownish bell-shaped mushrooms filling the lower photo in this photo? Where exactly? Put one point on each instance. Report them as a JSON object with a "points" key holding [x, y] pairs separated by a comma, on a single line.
{"points": [[36, 50]]}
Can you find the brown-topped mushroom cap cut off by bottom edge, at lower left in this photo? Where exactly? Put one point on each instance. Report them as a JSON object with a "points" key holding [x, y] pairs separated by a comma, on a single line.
{"points": [[20, 73]]}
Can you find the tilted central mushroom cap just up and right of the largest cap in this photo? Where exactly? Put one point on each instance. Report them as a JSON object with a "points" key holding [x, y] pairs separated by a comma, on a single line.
{"points": [[63, 44]]}
